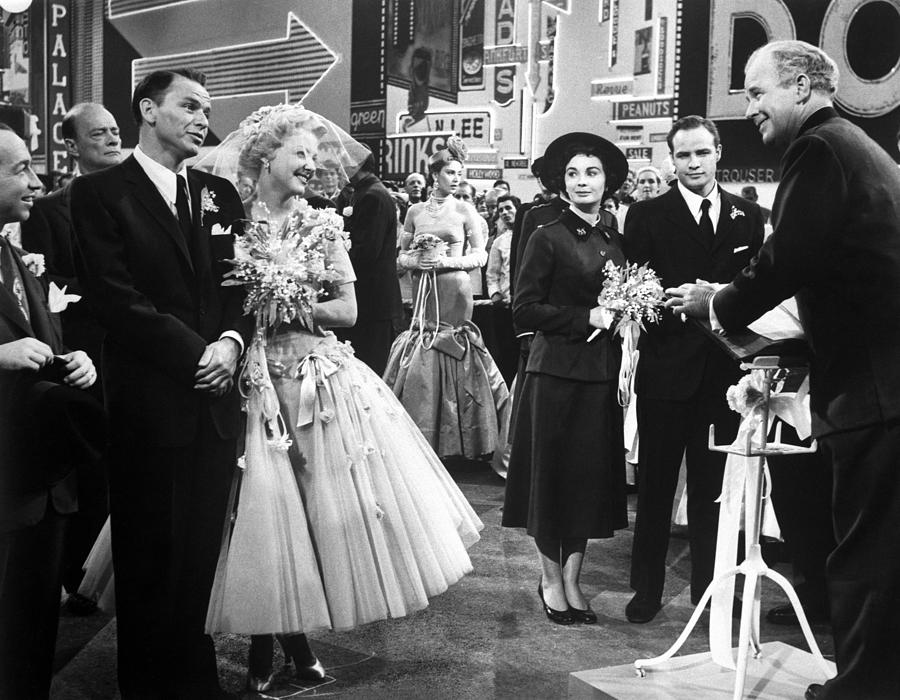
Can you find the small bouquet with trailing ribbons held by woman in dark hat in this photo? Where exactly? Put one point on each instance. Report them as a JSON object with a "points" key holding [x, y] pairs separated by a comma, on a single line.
{"points": [[633, 294]]}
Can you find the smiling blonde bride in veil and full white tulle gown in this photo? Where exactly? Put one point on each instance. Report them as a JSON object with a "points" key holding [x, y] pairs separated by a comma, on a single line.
{"points": [[357, 519]]}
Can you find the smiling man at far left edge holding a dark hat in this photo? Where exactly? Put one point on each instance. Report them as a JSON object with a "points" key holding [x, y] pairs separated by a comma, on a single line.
{"points": [[49, 427]]}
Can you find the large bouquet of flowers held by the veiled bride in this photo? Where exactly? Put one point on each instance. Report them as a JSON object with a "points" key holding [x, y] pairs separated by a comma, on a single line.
{"points": [[284, 269]]}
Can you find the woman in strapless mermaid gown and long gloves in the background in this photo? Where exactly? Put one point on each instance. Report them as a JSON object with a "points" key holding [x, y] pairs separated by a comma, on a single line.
{"points": [[439, 368]]}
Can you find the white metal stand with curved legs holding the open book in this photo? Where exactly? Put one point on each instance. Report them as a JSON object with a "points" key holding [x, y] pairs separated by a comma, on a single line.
{"points": [[753, 567]]}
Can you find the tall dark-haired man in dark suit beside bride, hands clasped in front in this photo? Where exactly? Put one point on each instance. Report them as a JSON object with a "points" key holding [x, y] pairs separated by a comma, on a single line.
{"points": [[150, 240]]}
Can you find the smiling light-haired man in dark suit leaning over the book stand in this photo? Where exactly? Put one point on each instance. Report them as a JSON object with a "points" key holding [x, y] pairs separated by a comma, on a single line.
{"points": [[836, 248]]}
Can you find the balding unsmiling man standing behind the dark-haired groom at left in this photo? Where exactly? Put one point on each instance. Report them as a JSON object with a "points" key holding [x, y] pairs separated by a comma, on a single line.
{"points": [[92, 139]]}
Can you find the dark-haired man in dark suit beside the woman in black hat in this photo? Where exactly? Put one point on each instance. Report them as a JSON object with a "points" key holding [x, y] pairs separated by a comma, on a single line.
{"points": [[694, 231]]}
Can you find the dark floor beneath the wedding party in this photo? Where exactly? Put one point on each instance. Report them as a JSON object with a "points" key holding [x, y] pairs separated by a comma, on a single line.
{"points": [[485, 638]]}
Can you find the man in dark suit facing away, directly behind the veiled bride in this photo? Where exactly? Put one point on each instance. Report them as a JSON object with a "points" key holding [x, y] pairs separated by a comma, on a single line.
{"points": [[372, 224]]}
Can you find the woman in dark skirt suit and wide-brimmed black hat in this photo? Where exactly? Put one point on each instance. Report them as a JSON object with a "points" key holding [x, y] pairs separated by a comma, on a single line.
{"points": [[566, 479]]}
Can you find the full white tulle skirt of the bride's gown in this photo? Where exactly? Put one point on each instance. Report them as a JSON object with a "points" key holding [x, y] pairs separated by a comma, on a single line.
{"points": [[344, 514]]}
